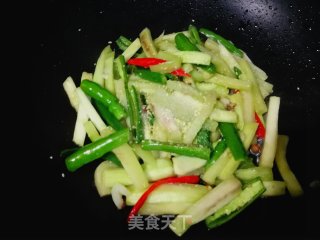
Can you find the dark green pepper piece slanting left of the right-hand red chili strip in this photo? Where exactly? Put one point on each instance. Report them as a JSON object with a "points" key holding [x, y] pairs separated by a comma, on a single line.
{"points": [[234, 143]]}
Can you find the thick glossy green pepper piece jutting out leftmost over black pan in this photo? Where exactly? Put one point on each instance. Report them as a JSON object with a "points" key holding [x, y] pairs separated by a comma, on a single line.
{"points": [[95, 150]]}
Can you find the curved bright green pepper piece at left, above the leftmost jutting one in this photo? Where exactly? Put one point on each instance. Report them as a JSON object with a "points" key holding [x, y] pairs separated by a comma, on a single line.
{"points": [[101, 94]]}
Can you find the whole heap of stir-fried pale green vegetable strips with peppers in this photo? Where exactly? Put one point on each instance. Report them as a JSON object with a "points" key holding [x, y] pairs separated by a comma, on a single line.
{"points": [[169, 112]]}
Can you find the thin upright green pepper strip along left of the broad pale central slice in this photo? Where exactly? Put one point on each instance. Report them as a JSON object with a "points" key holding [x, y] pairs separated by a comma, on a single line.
{"points": [[137, 114]]}
